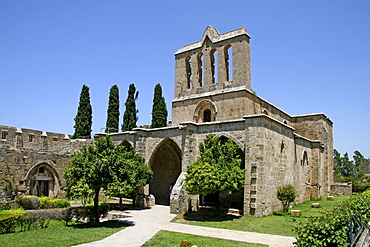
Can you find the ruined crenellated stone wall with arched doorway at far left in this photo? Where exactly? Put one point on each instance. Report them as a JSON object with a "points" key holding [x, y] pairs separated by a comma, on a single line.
{"points": [[34, 160]]}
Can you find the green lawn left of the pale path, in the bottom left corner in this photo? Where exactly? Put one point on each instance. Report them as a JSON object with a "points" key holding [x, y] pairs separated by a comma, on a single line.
{"points": [[58, 235]]}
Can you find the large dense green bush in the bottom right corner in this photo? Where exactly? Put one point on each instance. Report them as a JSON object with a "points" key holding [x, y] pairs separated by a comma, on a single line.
{"points": [[330, 228]]}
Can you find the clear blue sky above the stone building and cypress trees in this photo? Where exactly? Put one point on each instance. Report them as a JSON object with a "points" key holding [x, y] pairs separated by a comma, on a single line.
{"points": [[307, 57]]}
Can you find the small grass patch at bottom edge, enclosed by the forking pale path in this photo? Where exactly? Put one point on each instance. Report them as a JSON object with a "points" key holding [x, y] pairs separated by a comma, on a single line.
{"points": [[173, 239]]}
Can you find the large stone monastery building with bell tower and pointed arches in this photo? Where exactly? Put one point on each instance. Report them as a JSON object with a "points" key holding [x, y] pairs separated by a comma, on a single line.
{"points": [[213, 94]]}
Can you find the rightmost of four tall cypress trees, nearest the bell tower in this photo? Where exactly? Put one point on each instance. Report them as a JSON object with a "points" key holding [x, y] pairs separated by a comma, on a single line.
{"points": [[159, 110]]}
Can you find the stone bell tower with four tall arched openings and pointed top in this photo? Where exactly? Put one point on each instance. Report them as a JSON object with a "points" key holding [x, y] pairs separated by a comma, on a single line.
{"points": [[216, 69]]}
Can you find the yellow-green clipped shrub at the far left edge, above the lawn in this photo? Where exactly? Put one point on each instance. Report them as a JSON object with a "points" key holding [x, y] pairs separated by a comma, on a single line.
{"points": [[11, 219]]}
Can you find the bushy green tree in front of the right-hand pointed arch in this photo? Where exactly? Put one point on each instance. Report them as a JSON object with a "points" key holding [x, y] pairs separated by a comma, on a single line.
{"points": [[217, 169]]}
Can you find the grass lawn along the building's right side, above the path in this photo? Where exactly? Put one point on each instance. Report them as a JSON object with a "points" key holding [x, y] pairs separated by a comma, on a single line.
{"points": [[271, 224]]}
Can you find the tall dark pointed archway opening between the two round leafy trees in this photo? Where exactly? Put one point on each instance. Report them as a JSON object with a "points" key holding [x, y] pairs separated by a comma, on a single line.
{"points": [[166, 165]]}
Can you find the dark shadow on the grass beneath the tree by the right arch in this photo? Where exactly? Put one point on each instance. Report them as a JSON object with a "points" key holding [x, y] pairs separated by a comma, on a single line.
{"points": [[209, 214]]}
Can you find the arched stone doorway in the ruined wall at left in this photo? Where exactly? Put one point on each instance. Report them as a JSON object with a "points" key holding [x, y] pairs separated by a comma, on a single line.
{"points": [[43, 180]]}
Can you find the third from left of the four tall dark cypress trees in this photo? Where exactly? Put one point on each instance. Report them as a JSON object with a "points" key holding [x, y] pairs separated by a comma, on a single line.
{"points": [[130, 116]]}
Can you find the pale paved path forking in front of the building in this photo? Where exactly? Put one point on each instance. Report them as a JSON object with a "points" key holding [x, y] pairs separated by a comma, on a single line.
{"points": [[146, 223]]}
